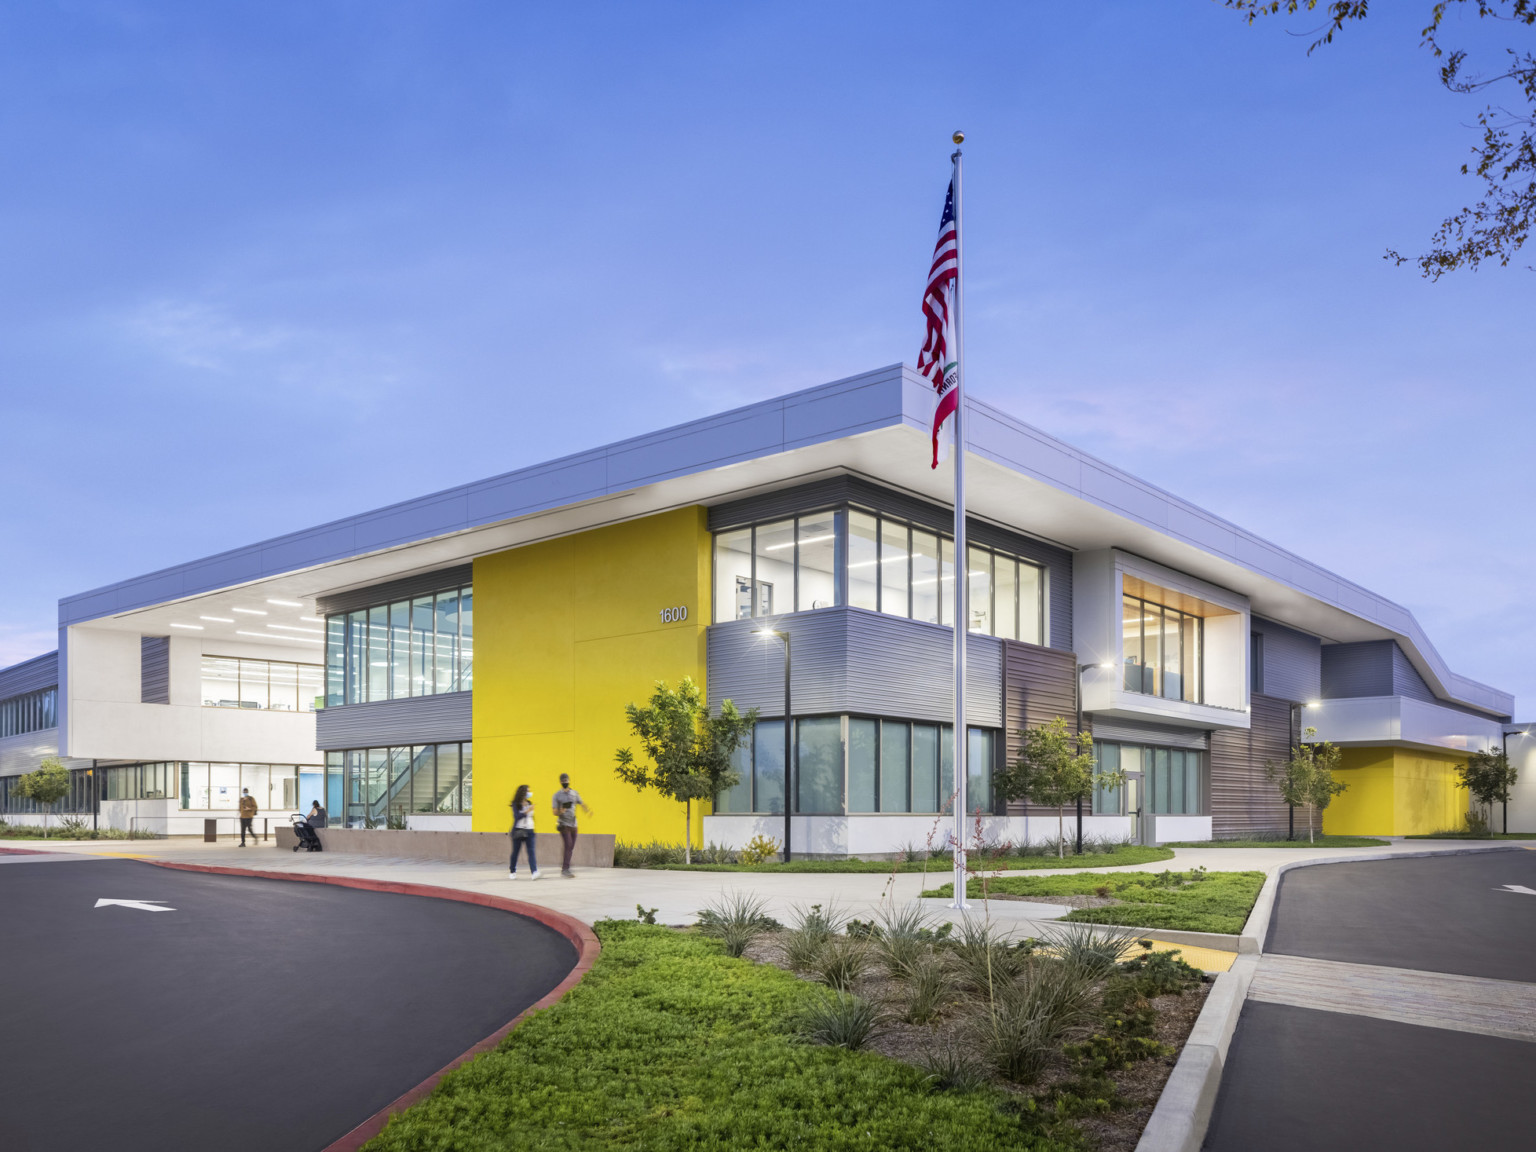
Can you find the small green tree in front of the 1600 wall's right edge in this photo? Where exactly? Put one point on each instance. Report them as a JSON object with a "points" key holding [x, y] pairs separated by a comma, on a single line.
{"points": [[689, 750]]}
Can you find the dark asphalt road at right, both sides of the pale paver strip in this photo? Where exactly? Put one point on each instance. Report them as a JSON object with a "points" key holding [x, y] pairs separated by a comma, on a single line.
{"points": [[1331, 1082]]}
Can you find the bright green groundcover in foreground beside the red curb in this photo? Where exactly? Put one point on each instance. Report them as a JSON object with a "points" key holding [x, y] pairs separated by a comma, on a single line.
{"points": [[669, 1045]]}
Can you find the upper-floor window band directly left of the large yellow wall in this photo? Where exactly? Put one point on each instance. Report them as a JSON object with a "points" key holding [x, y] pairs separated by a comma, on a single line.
{"points": [[417, 647]]}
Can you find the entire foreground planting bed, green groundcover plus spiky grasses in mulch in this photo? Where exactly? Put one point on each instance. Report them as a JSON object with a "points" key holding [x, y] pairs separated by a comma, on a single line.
{"points": [[886, 1039]]}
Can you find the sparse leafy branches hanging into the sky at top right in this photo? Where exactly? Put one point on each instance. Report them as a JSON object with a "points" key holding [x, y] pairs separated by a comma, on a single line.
{"points": [[1500, 223]]}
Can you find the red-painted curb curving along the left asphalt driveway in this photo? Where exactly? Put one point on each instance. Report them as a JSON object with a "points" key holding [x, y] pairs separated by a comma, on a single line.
{"points": [[574, 930]]}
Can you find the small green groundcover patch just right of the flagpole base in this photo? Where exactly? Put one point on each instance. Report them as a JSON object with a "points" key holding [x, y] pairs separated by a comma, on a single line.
{"points": [[1217, 904]]}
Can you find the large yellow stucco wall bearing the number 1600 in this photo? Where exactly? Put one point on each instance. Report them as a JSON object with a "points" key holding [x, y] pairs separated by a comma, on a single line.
{"points": [[566, 635]]}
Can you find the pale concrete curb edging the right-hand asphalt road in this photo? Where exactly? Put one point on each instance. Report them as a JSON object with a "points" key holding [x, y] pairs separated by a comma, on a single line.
{"points": [[1183, 1113]]}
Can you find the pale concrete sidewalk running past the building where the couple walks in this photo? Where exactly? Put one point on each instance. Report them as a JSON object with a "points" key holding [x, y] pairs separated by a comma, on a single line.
{"points": [[678, 896]]}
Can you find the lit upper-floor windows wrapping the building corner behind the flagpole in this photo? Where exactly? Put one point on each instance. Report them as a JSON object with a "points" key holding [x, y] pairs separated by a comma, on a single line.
{"points": [[876, 563]]}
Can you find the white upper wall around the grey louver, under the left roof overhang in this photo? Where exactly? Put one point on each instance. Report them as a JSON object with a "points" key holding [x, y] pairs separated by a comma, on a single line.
{"points": [[107, 721]]}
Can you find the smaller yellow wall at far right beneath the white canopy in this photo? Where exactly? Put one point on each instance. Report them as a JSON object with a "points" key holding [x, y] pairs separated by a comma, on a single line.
{"points": [[1397, 792]]}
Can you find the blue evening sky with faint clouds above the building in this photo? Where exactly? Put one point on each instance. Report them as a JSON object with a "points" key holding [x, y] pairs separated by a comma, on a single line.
{"points": [[265, 265]]}
